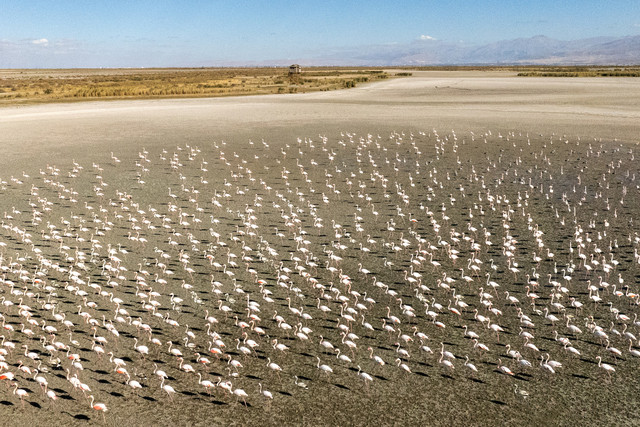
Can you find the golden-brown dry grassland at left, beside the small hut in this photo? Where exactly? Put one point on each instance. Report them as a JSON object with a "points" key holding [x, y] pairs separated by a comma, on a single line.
{"points": [[37, 86]]}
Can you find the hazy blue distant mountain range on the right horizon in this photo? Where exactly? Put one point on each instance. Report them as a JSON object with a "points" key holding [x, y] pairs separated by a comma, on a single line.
{"points": [[538, 50]]}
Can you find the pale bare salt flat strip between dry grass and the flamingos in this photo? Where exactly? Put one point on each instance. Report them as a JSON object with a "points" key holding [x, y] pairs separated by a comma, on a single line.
{"points": [[587, 107]]}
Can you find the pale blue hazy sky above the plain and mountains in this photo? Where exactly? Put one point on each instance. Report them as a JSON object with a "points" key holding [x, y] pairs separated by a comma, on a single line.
{"points": [[186, 33]]}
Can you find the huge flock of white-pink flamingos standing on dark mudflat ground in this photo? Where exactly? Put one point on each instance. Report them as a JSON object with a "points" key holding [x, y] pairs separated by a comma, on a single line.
{"points": [[248, 273]]}
